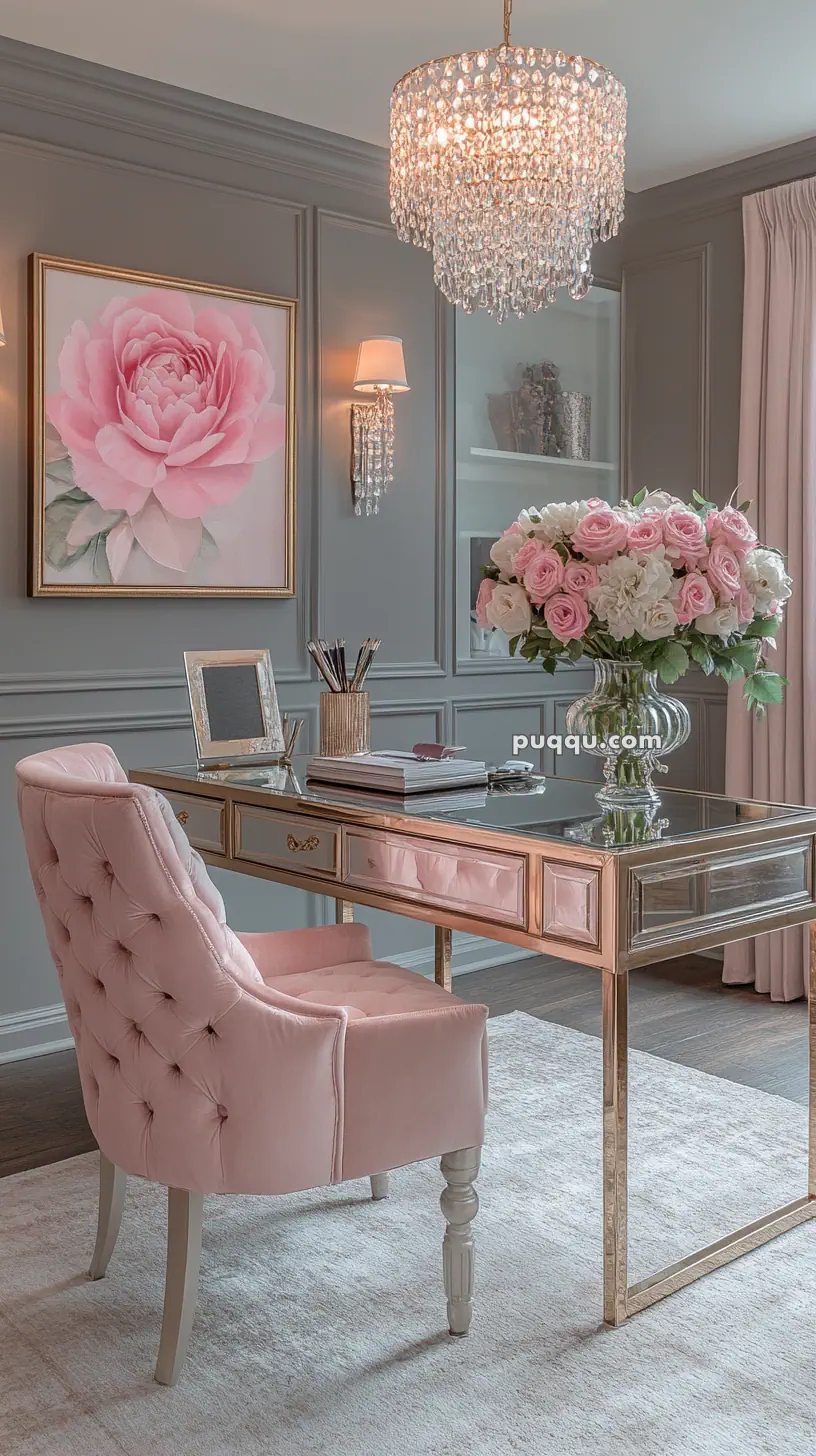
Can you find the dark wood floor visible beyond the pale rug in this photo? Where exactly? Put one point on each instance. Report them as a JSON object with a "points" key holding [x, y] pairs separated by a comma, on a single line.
{"points": [[680, 1011]]}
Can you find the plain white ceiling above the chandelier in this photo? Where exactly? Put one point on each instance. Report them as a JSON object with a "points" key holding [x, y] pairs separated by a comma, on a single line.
{"points": [[709, 81]]}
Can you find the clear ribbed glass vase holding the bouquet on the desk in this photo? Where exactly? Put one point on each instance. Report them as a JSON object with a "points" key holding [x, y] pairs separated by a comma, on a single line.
{"points": [[630, 724]]}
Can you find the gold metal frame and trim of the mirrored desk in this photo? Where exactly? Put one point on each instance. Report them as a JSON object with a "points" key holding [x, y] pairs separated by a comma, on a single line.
{"points": [[613, 959]]}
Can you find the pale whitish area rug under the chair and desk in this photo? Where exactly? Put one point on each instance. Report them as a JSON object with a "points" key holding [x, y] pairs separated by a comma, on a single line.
{"points": [[321, 1318]]}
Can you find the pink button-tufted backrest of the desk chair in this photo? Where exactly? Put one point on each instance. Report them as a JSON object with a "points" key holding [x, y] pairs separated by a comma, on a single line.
{"points": [[195, 1072]]}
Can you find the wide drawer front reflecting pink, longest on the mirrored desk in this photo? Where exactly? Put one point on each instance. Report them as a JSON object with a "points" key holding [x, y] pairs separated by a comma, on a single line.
{"points": [[458, 877]]}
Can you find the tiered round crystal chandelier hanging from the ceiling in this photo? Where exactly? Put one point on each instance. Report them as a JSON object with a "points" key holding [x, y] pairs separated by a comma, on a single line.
{"points": [[508, 165]]}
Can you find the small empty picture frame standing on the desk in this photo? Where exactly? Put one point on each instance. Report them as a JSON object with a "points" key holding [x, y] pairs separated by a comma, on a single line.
{"points": [[228, 714]]}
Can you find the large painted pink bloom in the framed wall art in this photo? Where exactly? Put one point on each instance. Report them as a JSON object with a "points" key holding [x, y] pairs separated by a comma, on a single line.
{"points": [[167, 410]]}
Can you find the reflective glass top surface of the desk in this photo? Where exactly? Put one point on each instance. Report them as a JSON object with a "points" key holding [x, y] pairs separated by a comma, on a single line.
{"points": [[540, 807]]}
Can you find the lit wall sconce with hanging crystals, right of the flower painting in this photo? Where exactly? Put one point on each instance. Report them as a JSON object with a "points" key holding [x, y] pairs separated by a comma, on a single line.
{"points": [[381, 371]]}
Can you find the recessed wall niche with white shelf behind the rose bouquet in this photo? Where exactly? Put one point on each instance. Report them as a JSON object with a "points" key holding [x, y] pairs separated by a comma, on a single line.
{"points": [[515, 449]]}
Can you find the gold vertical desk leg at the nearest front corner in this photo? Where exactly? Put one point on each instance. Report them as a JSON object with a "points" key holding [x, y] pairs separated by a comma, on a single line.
{"points": [[616, 1056]]}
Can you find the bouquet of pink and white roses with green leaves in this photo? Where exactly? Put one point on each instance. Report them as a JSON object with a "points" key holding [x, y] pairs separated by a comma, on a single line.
{"points": [[655, 583]]}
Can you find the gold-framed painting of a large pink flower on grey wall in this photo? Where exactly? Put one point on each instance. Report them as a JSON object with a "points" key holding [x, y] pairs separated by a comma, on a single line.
{"points": [[162, 436]]}
